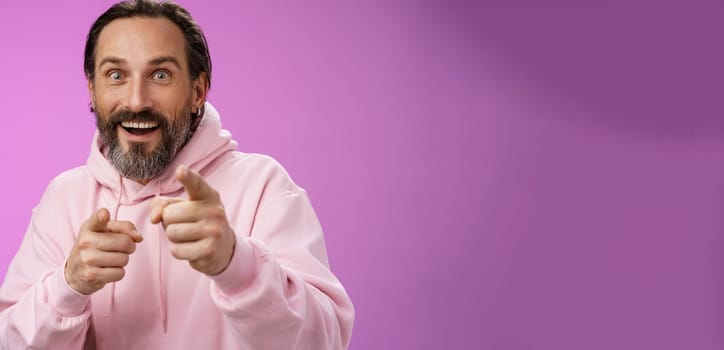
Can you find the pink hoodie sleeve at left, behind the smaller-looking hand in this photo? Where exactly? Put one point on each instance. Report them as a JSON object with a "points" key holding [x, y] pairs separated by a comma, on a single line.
{"points": [[37, 308]]}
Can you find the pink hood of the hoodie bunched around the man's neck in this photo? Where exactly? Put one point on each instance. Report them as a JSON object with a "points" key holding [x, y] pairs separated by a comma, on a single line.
{"points": [[208, 142]]}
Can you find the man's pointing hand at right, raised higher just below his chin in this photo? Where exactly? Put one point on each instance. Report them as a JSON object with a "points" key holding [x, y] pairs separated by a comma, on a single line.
{"points": [[197, 228]]}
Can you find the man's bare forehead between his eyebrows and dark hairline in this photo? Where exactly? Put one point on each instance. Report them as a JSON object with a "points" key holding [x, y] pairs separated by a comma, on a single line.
{"points": [[138, 40]]}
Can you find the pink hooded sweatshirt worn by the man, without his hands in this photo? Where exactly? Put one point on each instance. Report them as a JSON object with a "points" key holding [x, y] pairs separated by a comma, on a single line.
{"points": [[277, 293]]}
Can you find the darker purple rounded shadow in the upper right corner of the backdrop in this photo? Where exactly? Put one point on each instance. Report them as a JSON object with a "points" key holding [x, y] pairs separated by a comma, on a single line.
{"points": [[639, 67]]}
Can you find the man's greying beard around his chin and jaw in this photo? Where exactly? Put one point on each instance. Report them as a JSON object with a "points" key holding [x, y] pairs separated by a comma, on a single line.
{"points": [[137, 163]]}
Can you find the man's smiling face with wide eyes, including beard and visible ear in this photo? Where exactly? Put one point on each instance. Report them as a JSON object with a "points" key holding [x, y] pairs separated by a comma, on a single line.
{"points": [[142, 94]]}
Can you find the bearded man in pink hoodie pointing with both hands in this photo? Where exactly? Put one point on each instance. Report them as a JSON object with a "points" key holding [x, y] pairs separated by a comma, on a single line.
{"points": [[168, 238]]}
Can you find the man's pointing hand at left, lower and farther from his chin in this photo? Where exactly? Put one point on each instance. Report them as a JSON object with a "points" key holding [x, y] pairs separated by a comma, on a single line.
{"points": [[100, 252]]}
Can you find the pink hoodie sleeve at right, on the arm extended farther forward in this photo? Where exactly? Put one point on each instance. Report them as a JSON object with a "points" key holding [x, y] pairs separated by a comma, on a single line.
{"points": [[278, 291]]}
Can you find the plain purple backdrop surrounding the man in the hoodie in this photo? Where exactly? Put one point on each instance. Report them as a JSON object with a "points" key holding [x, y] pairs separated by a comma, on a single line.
{"points": [[490, 175]]}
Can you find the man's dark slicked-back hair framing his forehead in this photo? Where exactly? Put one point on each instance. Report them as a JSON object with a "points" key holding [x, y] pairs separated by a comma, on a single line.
{"points": [[197, 50]]}
